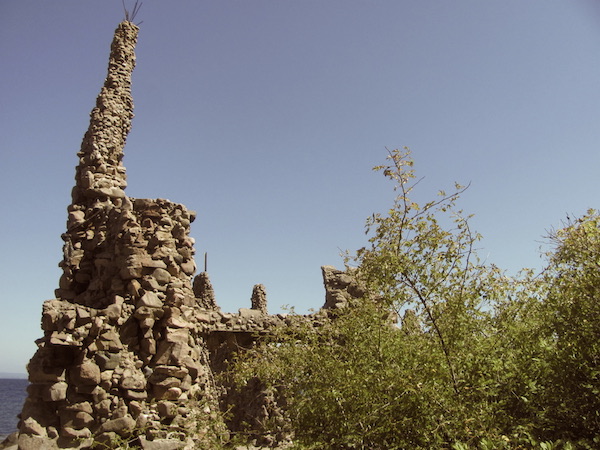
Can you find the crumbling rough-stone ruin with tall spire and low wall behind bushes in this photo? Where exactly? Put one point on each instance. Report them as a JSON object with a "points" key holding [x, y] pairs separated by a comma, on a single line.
{"points": [[132, 341]]}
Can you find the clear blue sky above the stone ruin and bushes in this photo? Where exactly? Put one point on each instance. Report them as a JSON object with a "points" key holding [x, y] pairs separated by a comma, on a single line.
{"points": [[266, 117]]}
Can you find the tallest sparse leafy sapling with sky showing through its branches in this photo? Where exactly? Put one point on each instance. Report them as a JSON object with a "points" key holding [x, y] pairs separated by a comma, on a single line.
{"points": [[416, 262]]}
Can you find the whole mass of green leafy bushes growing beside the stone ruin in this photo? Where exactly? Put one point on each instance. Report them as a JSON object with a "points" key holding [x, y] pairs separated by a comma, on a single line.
{"points": [[446, 350]]}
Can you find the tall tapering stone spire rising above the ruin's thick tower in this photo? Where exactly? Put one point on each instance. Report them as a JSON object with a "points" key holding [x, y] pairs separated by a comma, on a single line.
{"points": [[100, 181]]}
